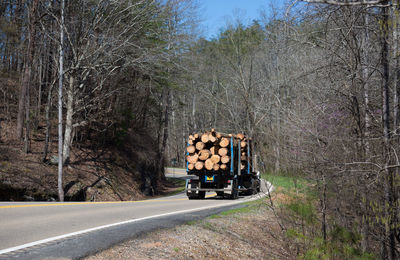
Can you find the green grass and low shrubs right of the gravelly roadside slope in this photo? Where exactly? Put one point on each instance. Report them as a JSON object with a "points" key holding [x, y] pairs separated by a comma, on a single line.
{"points": [[296, 203]]}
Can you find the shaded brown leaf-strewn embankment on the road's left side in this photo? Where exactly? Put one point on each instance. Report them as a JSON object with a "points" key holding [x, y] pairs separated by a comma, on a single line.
{"points": [[119, 172]]}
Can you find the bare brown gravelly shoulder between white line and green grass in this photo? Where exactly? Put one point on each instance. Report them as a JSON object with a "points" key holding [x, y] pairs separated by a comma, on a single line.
{"points": [[249, 233]]}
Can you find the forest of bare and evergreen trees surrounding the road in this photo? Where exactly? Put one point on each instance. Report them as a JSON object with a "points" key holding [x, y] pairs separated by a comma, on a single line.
{"points": [[316, 85]]}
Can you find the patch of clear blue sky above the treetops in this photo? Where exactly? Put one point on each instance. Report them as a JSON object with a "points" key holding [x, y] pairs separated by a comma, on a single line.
{"points": [[215, 13]]}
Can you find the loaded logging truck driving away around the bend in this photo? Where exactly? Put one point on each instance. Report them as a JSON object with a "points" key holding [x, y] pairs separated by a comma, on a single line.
{"points": [[221, 163]]}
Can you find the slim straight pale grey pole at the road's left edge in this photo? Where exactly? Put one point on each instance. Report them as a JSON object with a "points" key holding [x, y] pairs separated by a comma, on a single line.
{"points": [[60, 85]]}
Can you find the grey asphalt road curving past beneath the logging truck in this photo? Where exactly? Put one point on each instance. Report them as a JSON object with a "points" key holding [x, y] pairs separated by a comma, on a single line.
{"points": [[32, 230]]}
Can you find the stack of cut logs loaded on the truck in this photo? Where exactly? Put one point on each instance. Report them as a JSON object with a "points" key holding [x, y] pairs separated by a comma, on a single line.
{"points": [[212, 151]]}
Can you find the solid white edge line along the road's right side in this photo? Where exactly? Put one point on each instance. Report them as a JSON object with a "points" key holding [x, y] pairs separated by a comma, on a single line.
{"points": [[43, 241]]}
